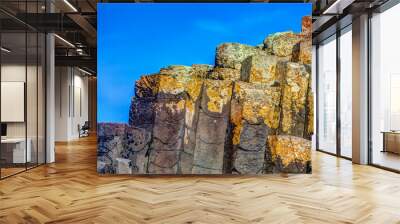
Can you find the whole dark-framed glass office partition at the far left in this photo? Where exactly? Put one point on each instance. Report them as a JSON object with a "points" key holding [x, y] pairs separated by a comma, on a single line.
{"points": [[22, 77]]}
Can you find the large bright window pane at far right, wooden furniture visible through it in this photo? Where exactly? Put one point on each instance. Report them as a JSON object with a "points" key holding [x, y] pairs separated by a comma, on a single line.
{"points": [[385, 86]]}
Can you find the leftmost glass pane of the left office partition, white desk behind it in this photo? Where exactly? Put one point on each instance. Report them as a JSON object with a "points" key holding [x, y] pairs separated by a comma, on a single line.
{"points": [[13, 90]]}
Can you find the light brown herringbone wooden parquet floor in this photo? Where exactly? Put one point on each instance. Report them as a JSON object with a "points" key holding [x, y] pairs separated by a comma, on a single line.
{"points": [[70, 191]]}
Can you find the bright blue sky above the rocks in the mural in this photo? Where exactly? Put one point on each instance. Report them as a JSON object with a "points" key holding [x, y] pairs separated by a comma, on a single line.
{"points": [[137, 39]]}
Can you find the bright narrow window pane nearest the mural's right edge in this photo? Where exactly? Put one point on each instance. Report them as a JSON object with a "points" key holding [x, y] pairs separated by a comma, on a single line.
{"points": [[327, 96]]}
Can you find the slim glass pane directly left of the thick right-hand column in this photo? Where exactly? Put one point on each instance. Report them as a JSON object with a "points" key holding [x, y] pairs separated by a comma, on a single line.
{"points": [[346, 93]]}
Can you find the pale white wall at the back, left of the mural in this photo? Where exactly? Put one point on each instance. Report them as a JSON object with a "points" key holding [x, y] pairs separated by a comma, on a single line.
{"points": [[71, 94]]}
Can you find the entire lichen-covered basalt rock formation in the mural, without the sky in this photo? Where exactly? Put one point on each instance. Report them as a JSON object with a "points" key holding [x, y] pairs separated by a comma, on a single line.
{"points": [[250, 113]]}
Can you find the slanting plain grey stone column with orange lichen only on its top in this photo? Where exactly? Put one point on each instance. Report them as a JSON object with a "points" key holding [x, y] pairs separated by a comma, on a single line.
{"points": [[212, 126]]}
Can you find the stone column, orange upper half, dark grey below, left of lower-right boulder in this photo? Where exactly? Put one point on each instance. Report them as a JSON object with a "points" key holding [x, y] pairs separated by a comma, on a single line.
{"points": [[254, 115]]}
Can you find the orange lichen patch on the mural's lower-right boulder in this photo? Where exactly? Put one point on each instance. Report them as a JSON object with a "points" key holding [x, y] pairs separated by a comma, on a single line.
{"points": [[289, 149]]}
